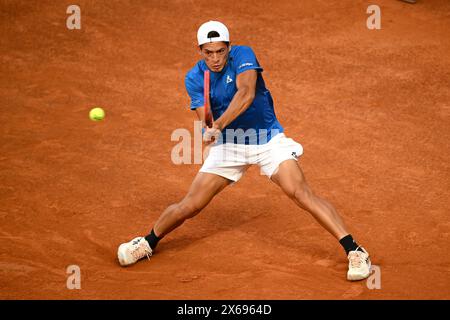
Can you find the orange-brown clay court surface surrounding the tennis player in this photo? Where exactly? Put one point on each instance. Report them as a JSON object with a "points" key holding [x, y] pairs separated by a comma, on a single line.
{"points": [[370, 107]]}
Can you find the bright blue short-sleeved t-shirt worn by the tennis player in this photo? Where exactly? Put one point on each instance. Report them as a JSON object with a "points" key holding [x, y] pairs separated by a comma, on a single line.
{"points": [[258, 124]]}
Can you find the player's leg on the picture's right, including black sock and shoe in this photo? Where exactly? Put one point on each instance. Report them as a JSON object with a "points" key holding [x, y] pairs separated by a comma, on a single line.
{"points": [[291, 180]]}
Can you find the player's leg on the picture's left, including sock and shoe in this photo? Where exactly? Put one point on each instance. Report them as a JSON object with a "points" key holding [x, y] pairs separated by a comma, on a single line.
{"points": [[204, 187]]}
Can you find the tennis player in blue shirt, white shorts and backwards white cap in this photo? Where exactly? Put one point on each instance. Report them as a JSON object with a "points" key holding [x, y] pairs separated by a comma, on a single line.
{"points": [[245, 131]]}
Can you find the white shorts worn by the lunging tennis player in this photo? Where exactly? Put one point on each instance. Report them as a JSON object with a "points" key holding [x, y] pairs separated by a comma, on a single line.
{"points": [[231, 160]]}
